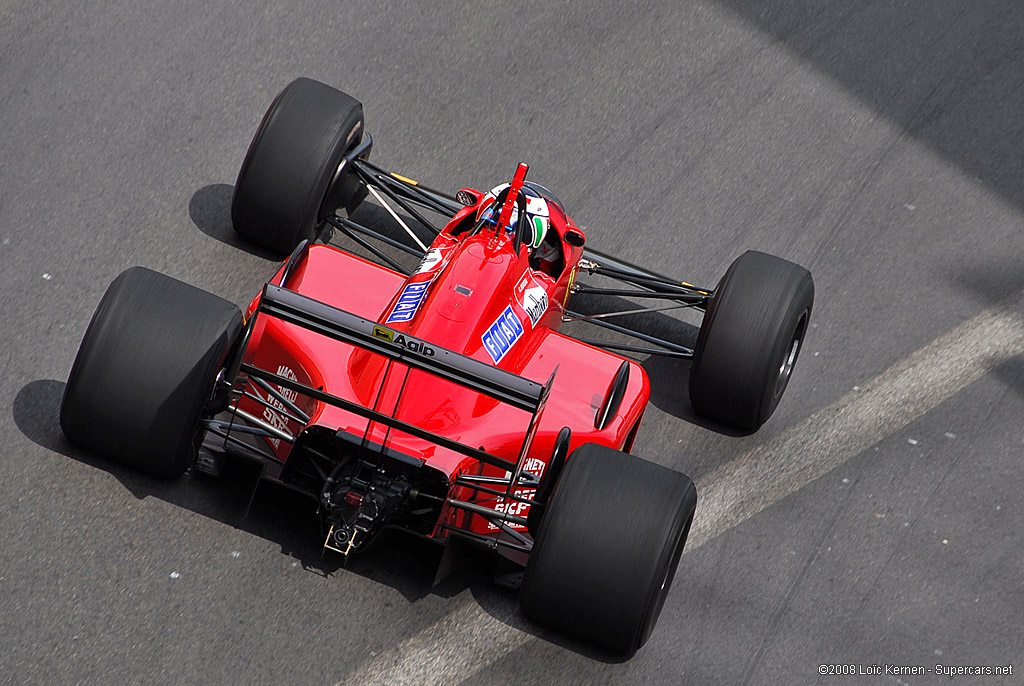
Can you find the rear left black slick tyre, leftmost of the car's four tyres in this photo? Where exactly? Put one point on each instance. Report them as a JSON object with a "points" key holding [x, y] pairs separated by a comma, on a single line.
{"points": [[146, 370]]}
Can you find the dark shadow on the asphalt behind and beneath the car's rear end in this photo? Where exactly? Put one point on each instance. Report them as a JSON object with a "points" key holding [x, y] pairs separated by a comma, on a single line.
{"points": [[240, 499]]}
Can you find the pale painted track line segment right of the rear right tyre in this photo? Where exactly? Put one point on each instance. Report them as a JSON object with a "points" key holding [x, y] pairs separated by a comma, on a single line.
{"points": [[861, 419]]}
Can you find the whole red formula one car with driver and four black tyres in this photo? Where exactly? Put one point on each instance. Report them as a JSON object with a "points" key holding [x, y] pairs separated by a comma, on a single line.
{"points": [[441, 400]]}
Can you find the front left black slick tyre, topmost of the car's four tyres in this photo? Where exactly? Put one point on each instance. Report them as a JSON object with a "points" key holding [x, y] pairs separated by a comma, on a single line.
{"points": [[285, 187]]}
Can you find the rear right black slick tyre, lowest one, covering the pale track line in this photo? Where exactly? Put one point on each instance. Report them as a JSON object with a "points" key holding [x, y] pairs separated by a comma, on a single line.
{"points": [[608, 548]]}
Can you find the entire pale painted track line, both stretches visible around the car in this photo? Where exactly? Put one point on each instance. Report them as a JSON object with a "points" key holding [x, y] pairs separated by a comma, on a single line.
{"points": [[468, 639]]}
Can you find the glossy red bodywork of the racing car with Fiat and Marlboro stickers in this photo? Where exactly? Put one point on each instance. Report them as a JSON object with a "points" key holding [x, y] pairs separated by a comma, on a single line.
{"points": [[459, 292]]}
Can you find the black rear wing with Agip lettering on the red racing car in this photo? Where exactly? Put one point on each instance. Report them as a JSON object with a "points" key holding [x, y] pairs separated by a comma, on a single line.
{"points": [[348, 328]]}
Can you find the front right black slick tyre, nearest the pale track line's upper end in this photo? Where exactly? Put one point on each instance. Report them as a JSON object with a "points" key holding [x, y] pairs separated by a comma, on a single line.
{"points": [[750, 339]]}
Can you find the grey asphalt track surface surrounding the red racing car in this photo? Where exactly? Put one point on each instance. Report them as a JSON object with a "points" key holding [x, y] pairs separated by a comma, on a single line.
{"points": [[874, 523]]}
